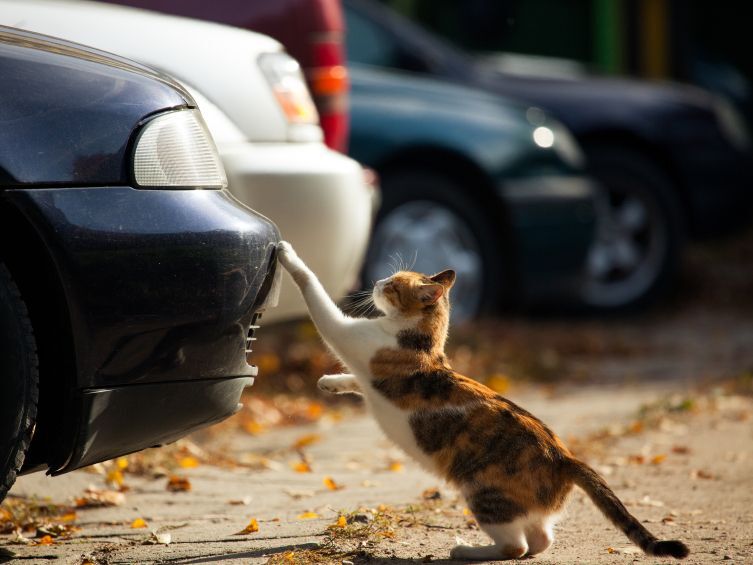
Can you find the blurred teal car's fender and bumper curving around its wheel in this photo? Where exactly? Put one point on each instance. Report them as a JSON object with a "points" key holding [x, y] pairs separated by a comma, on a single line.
{"points": [[547, 203]]}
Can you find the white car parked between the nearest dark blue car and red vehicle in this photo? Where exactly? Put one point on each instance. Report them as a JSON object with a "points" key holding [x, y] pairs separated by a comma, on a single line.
{"points": [[258, 109]]}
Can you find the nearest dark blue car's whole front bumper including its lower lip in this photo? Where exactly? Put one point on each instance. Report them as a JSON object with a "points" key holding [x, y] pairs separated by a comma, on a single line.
{"points": [[162, 288]]}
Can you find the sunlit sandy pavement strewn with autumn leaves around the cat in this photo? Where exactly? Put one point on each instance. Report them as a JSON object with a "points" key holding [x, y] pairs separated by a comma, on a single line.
{"points": [[685, 466]]}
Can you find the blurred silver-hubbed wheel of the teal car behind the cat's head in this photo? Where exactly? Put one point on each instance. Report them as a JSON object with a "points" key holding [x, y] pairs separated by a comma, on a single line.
{"points": [[427, 223]]}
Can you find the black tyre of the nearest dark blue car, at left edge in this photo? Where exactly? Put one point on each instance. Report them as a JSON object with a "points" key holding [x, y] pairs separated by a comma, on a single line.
{"points": [[19, 381]]}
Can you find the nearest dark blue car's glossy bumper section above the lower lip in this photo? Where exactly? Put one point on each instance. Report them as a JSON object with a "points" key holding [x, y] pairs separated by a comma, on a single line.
{"points": [[161, 285]]}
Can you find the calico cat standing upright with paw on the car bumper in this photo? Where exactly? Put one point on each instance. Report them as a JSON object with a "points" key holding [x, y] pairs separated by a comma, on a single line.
{"points": [[513, 471]]}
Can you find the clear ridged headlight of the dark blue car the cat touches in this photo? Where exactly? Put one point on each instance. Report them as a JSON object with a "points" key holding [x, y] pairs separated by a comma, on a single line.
{"points": [[175, 149]]}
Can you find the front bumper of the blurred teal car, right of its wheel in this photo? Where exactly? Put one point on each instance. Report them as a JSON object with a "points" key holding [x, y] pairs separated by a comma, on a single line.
{"points": [[552, 222]]}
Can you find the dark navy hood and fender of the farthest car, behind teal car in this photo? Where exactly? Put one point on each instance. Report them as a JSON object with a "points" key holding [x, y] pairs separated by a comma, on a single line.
{"points": [[677, 126]]}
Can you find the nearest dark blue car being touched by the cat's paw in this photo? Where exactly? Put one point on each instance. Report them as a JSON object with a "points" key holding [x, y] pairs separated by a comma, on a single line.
{"points": [[131, 281]]}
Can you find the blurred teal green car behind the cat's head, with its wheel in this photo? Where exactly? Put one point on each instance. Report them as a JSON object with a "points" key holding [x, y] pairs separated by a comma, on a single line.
{"points": [[472, 182]]}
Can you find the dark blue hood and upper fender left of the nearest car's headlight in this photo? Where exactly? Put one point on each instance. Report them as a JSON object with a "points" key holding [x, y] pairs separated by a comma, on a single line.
{"points": [[34, 119]]}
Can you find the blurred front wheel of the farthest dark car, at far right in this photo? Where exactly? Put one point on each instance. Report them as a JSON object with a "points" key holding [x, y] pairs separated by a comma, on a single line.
{"points": [[636, 252]]}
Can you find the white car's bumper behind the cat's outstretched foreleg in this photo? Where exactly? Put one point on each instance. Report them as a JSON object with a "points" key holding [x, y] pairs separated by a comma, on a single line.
{"points": [[320, 201]]}
